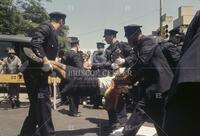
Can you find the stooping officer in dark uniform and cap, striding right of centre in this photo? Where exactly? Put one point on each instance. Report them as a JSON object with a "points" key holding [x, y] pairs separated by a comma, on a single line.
{"points": [[154, 74]]}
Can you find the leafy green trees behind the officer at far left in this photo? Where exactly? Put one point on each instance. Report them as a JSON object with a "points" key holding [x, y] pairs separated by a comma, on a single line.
{"points": [[22, 16]]}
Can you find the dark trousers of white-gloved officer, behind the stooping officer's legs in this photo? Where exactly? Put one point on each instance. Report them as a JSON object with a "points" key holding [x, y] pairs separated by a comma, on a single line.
{"points": [[118, 116]]}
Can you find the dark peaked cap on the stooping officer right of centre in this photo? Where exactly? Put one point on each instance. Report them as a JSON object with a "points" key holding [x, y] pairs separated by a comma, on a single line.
{"points": [[131, 29]]}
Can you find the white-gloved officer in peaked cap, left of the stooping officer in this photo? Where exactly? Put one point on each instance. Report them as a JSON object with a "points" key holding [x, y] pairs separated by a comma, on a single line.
{"points": [[118, 117]]}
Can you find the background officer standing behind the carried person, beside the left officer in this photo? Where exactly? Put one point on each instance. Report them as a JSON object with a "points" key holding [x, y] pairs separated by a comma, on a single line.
{"points": [[73, 58]]}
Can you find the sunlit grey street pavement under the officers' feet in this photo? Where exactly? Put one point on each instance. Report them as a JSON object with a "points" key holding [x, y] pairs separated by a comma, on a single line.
{"points": [[91, 123]]}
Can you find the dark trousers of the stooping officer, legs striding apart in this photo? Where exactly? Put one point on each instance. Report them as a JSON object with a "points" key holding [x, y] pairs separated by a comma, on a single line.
{"points": [[146, 110]]}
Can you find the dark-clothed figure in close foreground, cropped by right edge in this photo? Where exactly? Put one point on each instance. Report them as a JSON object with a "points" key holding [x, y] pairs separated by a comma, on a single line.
{"points": [[182, 108]]}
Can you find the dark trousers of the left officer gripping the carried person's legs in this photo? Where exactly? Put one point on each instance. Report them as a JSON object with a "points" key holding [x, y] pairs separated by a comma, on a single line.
{"points": [[39, 120]]}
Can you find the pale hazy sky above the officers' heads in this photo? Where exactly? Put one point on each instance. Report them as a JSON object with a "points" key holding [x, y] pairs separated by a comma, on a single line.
{"points": [[87, 19]]}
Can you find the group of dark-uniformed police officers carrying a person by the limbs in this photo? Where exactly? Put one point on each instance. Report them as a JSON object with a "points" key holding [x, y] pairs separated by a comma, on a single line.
{"points": [[166, 76]]}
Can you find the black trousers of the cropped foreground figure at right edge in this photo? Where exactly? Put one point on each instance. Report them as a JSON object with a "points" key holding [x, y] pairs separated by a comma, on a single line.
{"points": [[182, 114]]}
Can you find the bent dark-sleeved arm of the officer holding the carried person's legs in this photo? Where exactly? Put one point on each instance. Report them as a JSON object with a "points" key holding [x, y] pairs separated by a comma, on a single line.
{"points": [[40, 36]]}
